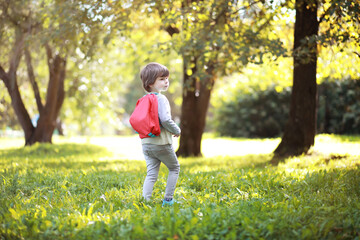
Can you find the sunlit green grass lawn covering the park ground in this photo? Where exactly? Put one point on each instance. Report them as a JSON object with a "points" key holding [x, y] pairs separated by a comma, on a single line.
{"points": [[90, 188]]}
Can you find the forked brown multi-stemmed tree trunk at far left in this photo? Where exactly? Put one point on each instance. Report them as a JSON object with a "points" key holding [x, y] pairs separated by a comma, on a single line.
{"points": [[55, 92]]}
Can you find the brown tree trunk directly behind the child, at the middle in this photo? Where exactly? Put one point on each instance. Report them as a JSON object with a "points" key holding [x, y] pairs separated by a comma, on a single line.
{"points": [[196, 98]]}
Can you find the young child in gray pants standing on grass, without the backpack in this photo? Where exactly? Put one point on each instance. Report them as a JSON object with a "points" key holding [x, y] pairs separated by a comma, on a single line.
{"points": [[157, 150]]}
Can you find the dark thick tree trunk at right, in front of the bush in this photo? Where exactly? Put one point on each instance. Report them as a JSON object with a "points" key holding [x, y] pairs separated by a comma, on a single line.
{"points": [[299, 133]]}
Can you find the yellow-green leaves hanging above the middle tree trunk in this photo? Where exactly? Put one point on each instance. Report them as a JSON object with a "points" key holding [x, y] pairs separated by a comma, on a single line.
{"points": [[217, 37]]}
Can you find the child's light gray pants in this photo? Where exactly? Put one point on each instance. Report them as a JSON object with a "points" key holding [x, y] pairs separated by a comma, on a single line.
{"points": [[154, 156]]}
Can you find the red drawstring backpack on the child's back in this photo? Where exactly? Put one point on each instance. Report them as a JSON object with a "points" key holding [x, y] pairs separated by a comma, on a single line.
{"points": [[145, 118]]}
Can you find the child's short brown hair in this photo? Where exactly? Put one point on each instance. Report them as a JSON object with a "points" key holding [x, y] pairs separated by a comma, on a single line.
{"points": [[151, 72]]}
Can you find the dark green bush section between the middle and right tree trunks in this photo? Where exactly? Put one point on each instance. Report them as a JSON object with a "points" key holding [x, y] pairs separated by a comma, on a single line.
{"points": [[259, 114]]}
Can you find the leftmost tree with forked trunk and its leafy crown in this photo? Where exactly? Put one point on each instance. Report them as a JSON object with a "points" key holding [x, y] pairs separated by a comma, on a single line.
{"points": [[58, 30]]}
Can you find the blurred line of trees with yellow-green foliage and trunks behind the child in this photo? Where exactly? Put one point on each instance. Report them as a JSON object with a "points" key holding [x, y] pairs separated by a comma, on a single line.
{"points": [[88, 47]]}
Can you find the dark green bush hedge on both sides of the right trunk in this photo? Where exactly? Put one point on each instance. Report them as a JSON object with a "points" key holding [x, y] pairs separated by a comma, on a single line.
{"points": [[264, 114]]}
